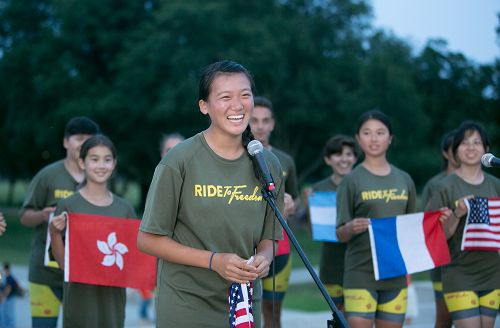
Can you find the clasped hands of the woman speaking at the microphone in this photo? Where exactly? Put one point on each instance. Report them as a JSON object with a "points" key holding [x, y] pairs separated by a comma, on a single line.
{"points": [[233, 268]]}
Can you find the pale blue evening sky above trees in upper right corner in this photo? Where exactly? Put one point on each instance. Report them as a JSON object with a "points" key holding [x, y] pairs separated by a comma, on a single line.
{"points": [[467, 25]]}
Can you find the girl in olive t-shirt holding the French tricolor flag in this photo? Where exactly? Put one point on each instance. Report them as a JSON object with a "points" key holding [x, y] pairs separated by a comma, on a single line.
{"points": [[374, 189]]}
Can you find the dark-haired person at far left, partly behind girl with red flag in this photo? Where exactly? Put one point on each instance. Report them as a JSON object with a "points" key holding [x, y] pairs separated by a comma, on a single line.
{"points": [[54, 182]]}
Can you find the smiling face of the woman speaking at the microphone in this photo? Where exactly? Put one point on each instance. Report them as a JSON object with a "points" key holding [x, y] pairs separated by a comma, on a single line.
{"points": [[229, 104]]}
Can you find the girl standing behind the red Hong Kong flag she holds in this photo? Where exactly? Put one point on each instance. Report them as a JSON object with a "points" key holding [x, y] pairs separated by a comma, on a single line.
{"points": [[86, 305]]}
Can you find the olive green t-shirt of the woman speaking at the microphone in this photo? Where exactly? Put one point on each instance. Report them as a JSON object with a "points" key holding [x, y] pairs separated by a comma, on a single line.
{"points": [[204, 201]]}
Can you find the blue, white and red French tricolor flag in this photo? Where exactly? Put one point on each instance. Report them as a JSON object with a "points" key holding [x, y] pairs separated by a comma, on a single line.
{"points": [[407, 244]]}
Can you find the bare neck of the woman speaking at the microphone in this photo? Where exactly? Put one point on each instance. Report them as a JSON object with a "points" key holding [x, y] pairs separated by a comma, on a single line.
{"points": [[226, 146]]}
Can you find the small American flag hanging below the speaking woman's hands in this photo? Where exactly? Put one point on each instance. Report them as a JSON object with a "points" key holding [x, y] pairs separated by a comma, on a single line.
{"points": [[240, 306]]}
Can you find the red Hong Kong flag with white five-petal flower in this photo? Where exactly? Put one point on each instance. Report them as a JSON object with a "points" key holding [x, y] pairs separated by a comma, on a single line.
{"points": [[101, 250]]}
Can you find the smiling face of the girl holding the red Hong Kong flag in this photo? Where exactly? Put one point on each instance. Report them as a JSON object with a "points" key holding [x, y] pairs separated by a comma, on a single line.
{"points": [[98, 164]]}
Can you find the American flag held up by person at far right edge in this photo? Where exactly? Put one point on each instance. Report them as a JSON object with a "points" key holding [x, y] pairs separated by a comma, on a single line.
{"points": [[482, 228]]}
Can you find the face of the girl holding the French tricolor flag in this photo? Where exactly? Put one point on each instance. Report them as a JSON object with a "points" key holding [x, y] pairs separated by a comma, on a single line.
{"points": [[374, 138]]}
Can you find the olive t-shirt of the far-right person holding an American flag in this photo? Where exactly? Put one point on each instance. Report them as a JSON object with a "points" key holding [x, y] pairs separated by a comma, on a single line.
{"points": [[475, 270]]}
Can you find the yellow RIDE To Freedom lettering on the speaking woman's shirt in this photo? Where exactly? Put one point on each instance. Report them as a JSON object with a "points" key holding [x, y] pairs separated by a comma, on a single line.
{"points": [[229, 192]]}
